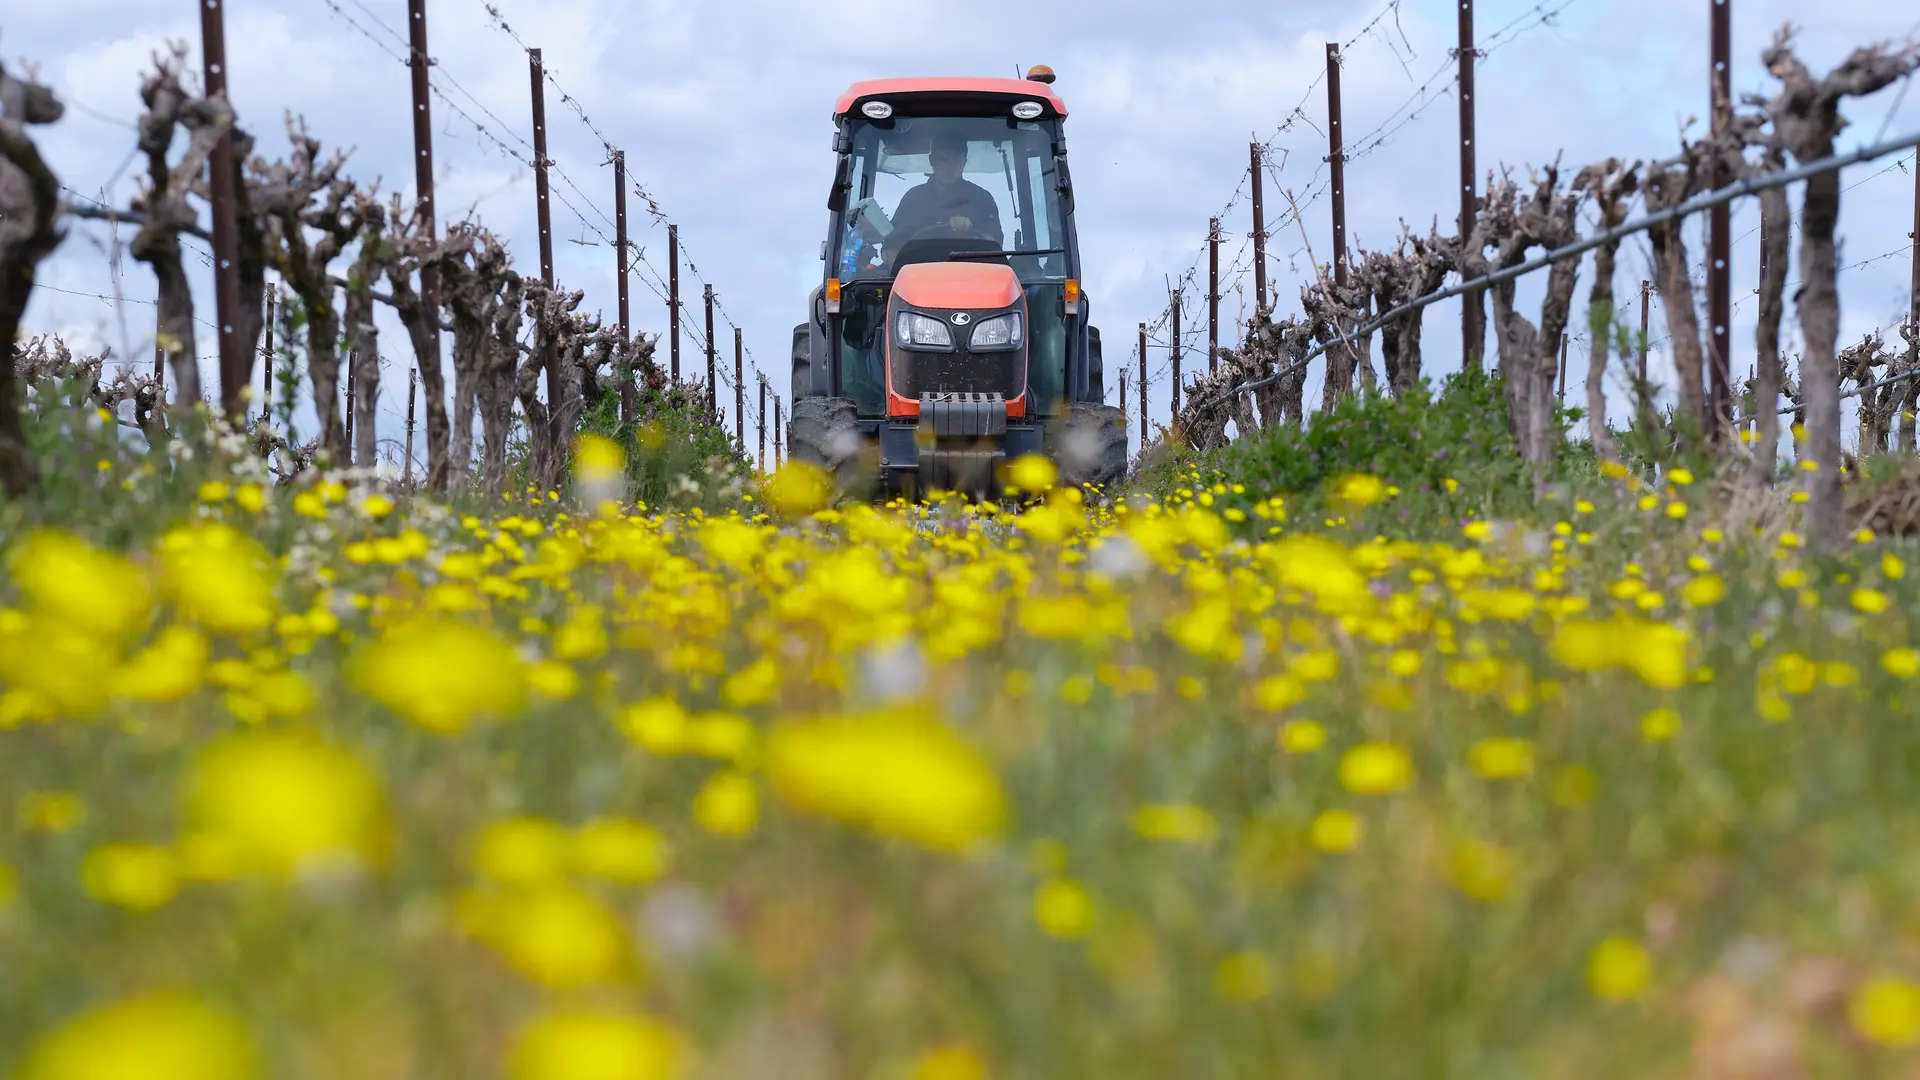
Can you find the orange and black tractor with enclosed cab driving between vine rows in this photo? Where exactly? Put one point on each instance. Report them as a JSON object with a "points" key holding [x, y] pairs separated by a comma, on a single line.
{"points": [[951, 331]]}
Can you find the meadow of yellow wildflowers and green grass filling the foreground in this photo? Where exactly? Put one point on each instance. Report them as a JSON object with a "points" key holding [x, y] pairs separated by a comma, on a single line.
{"points": [[320, 781]]}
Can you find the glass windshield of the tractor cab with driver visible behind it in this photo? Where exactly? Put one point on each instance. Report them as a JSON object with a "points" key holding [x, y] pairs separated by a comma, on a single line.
{"points": [[924, 187]]}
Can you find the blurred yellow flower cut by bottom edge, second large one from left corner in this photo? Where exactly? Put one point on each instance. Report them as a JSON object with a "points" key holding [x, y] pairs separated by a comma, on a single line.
{"points": [[596, 1044]]}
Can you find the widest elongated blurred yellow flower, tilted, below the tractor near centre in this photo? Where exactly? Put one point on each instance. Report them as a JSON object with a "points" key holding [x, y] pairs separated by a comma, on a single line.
{"points": [[901, 777]]}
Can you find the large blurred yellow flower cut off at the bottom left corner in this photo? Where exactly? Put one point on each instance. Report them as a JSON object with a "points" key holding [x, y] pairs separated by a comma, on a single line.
{"points": [[160, 1037]]}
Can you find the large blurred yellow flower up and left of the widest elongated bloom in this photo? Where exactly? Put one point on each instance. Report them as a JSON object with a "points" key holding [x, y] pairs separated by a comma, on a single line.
{"points": [[443, 675]]}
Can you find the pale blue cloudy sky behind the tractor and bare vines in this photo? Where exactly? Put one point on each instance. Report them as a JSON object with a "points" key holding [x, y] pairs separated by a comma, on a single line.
{"points": [[723, 109]]}
